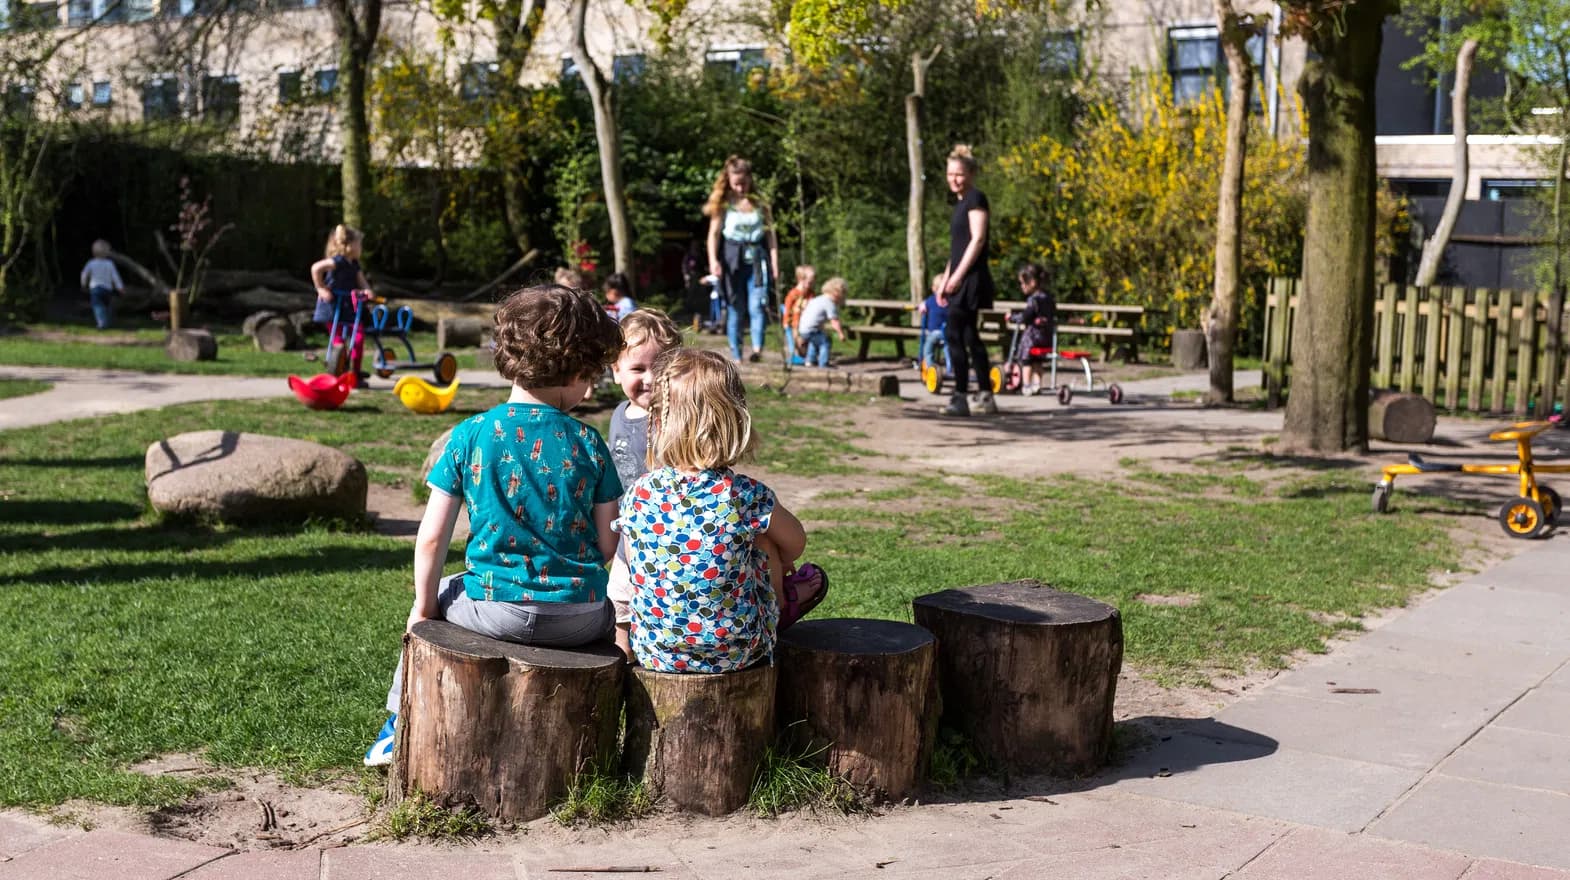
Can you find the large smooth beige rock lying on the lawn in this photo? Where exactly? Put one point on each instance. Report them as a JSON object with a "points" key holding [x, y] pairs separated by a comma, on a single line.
{"points": [[254, 479]]}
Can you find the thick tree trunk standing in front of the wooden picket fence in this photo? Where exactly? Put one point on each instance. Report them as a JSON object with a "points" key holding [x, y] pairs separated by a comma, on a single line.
{"points": [[1334, 338]]}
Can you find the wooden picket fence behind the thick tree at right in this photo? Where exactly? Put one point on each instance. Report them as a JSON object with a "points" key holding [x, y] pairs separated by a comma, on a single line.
{"points": [[1459, 347]]}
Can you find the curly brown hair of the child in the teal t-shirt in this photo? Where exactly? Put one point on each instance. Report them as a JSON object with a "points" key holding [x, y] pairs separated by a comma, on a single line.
{"points": [[549, 336]]}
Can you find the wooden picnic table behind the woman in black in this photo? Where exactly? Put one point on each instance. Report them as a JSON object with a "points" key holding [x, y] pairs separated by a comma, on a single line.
{"points": [[885, 322]]}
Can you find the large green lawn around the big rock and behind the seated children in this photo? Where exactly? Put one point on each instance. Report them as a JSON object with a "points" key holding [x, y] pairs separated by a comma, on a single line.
{"points": [[131, 638]]}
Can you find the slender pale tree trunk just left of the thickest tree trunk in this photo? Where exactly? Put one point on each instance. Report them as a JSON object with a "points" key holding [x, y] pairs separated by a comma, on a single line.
{"points": [[1221, 327]]}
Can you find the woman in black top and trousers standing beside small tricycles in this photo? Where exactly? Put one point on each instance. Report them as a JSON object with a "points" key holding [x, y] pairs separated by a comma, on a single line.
{"points": [[968, 285]]}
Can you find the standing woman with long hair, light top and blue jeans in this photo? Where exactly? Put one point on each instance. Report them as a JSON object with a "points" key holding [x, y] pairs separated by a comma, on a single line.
{"points": [[743, 252]]}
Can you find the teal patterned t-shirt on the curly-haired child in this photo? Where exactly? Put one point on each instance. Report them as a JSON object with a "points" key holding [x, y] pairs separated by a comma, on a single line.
{"points": [[530, 478]]}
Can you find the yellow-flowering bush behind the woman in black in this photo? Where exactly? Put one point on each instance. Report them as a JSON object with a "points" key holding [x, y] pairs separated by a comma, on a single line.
{"points": [[1126, 214]]}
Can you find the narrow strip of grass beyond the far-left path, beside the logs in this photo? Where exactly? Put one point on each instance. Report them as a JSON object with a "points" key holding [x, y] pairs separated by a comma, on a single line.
{"points": [[144, 351]]}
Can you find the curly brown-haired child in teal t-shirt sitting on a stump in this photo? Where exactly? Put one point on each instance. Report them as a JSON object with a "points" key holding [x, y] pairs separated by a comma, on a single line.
{"points": [[539, 489]]}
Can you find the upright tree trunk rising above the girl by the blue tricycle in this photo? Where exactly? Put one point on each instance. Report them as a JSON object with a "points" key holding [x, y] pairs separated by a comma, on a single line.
{"points": [[357, 24]]}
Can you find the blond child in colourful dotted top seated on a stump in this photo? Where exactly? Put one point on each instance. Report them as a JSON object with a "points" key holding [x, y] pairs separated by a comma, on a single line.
{"points": [[710, 551]]}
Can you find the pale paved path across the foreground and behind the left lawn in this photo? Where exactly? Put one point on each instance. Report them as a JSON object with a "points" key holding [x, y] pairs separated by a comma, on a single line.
{"points": [[1434, 747]]}
